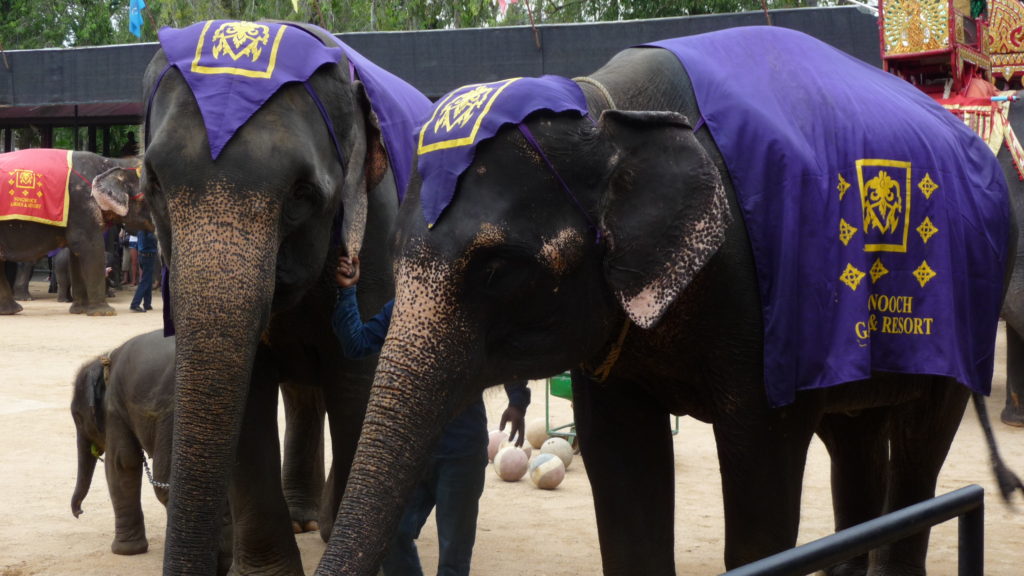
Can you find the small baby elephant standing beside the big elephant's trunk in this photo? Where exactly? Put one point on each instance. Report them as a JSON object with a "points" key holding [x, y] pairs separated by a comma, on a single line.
{"points": [[123, 407]]}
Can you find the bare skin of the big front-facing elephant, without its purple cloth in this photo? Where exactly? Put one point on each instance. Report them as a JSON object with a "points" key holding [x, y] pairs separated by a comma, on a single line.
{"points": [[248, 243]]}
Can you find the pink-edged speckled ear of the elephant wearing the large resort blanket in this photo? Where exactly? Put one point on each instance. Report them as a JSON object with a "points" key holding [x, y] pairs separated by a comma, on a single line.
{"points": [[666, 212]]}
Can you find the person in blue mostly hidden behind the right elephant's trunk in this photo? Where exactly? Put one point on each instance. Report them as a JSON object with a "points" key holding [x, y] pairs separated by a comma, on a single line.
{"points": [[453, 482]]}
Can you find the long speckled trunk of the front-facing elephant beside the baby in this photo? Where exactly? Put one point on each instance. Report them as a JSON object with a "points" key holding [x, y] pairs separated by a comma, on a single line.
{"points": [[221, 300]]}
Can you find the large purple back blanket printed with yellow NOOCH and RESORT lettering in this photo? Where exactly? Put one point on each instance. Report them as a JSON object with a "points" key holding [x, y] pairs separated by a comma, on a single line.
{"points": [[879, 222]]}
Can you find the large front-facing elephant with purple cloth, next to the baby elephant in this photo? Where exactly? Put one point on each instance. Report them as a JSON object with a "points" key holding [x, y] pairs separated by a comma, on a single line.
{"points": [[251, 213]]}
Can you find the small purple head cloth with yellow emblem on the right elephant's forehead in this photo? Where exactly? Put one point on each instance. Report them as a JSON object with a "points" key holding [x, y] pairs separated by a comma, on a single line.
{"points": [[473, 114]]}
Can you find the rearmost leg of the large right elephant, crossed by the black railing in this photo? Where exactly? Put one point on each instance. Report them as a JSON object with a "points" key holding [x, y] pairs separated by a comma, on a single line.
{"points": [[922, 433]]}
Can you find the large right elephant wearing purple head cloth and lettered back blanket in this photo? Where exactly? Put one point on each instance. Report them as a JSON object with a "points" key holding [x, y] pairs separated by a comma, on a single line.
{"points": [[599, 226]]}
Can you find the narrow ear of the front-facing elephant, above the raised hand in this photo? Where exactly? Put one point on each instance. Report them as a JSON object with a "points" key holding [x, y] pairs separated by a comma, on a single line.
{"points": [[366, 172]]}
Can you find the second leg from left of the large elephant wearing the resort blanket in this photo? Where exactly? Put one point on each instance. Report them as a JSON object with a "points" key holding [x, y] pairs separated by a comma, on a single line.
{"points": [[762, 455]]}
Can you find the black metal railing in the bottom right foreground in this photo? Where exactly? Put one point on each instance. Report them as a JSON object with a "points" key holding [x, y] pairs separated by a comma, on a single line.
{"points": [[966, 504]]}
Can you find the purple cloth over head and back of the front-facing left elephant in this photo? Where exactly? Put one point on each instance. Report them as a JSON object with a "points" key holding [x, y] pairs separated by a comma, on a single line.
{"points": [[235, 67]]}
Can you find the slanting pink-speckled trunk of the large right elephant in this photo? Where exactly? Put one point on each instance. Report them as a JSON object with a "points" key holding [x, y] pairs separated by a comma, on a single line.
{"points": [[415, 393]]}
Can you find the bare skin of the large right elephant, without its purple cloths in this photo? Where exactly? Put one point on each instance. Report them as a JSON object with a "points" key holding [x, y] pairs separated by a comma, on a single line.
{"points": [[509, 283]]}
